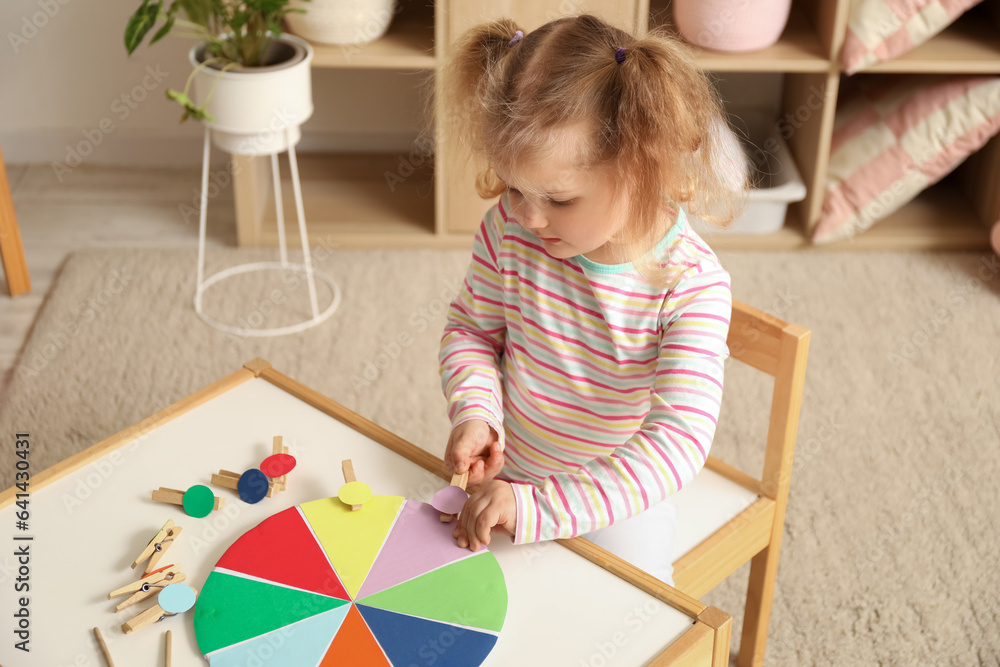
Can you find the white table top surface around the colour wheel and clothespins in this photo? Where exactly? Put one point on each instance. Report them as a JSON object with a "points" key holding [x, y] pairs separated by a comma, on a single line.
{"points": [[89, 526]]}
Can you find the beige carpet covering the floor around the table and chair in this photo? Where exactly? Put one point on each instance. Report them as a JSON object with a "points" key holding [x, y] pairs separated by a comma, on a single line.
{"points": [[890, 556]]}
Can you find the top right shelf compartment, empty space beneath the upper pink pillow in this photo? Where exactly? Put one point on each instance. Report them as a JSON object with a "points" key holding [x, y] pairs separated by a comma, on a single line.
{"points": [[970, 45]]}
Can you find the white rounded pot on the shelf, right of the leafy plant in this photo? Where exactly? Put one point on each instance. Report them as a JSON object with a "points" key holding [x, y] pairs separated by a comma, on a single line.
{"points": [[341, 21]]}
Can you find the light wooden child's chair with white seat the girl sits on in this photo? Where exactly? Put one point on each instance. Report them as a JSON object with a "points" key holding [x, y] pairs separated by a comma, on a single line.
{"points": [[752, 510]]}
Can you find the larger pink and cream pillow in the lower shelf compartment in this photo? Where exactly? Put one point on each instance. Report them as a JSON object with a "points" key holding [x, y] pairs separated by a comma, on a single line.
{"points": [[895, 135]]}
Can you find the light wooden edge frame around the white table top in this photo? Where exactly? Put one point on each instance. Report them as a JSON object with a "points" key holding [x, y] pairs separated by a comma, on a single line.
{"points": [[706, 643]]}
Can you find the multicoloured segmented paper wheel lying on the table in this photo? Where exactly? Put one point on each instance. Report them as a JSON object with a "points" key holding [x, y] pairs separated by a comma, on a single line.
{"points": [[318, 585]]}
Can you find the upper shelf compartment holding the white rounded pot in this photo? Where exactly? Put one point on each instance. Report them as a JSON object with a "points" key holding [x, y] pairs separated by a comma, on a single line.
{"points": [[408, 44]]}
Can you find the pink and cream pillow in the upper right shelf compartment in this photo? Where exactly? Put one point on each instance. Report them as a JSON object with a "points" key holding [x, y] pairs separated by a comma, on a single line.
{"points": [[883, 29]]}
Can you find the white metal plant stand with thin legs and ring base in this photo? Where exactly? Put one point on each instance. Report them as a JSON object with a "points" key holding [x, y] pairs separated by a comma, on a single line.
{"points": [[306, 267]]}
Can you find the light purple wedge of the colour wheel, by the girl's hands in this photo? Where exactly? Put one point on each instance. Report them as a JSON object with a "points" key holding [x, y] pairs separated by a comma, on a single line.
{"points": [[418, 543]]}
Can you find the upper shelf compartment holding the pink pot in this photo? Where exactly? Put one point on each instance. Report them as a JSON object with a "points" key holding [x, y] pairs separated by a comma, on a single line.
{"points": [[799, 48]]}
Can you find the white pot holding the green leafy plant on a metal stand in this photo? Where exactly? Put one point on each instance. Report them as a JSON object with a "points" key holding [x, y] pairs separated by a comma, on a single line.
{"points": [[256, 111]]}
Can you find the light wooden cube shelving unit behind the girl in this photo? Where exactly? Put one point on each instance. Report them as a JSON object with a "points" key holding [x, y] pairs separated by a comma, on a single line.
{"points": [[350, 202]]}
